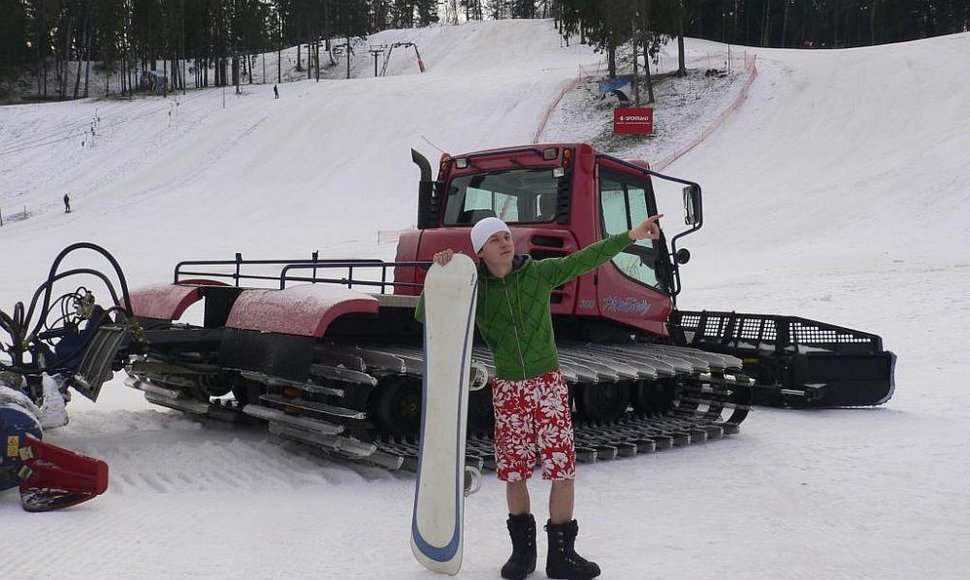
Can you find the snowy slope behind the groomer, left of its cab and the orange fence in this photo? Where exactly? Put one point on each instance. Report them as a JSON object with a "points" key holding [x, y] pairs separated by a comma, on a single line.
{"points": [[159, 170]]}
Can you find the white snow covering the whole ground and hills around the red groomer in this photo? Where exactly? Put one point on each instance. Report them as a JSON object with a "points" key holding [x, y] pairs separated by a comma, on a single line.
{"points": [[837, 191]]}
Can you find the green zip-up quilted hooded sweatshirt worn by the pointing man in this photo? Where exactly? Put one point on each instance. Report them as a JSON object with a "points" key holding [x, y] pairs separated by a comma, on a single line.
{"points": [[513, 314]]}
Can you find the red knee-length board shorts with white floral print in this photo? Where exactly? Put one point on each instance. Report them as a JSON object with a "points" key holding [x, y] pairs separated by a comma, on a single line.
{"points": [[533, 422]]}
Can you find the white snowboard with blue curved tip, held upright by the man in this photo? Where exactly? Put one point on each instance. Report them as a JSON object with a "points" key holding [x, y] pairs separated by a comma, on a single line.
{"points": [[450, 294]]}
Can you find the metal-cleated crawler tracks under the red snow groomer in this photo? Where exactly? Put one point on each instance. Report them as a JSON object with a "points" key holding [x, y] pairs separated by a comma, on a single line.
{"points": [[363, 402]]}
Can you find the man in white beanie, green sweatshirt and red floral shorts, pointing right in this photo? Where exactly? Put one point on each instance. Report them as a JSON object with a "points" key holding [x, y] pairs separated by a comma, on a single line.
{"points": [[529, 395]]}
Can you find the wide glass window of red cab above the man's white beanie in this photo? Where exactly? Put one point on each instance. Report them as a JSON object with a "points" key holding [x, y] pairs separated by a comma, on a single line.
{"points": [[514, 196]]}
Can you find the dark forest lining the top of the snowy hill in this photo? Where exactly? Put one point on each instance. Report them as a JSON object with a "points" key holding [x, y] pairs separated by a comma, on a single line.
{"points": [[206, 42]]}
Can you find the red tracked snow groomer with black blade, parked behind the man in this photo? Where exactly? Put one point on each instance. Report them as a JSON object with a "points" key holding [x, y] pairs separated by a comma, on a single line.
{"points": [[327, 352]]}
